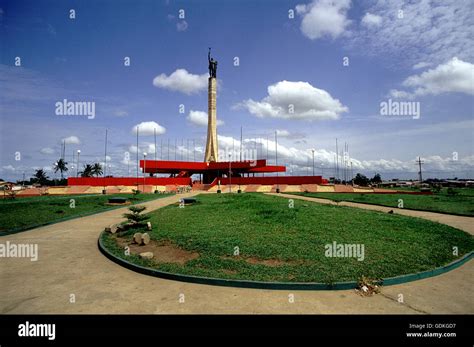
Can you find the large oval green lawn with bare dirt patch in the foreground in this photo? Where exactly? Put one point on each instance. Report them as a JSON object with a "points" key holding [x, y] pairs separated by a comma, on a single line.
{"points": [[265, 228]]}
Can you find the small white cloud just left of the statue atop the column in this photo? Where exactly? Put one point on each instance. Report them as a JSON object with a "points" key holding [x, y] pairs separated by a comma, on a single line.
{"points": [[182, 81]]}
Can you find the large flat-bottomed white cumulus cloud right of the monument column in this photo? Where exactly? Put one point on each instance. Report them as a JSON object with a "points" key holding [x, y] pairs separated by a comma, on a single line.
{"points": [[295, 100]]}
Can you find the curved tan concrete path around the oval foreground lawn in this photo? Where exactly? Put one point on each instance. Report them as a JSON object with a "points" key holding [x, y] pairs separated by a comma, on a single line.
{"points": [[70, 266]]}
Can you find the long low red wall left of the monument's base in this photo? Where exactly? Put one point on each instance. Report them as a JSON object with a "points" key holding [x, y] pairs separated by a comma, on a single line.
{"points": [[127, 181]]}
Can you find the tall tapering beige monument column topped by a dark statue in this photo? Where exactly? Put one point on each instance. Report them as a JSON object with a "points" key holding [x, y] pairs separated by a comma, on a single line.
{"points": [[211, 144]]}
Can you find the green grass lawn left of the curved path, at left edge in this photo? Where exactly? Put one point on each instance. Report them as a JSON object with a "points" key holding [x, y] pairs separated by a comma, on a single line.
{"points": [[26, 213]]}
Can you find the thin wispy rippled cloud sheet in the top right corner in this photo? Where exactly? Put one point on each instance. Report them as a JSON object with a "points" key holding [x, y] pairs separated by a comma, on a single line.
{"points": [[428, 31]]}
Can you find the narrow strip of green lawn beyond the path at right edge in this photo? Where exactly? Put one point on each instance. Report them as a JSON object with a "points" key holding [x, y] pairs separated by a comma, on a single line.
{"points": [[462, 203]]}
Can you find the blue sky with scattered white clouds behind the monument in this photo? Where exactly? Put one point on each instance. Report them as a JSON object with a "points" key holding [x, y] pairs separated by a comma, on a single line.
{"points": [[424, 55]]}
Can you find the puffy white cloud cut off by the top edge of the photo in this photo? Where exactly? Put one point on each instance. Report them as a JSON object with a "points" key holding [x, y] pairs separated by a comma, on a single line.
{"points": [[324, 18]]}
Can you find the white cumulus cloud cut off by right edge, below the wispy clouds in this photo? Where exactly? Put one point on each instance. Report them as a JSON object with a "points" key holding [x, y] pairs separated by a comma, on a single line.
{"points": [[455, 76]]}
